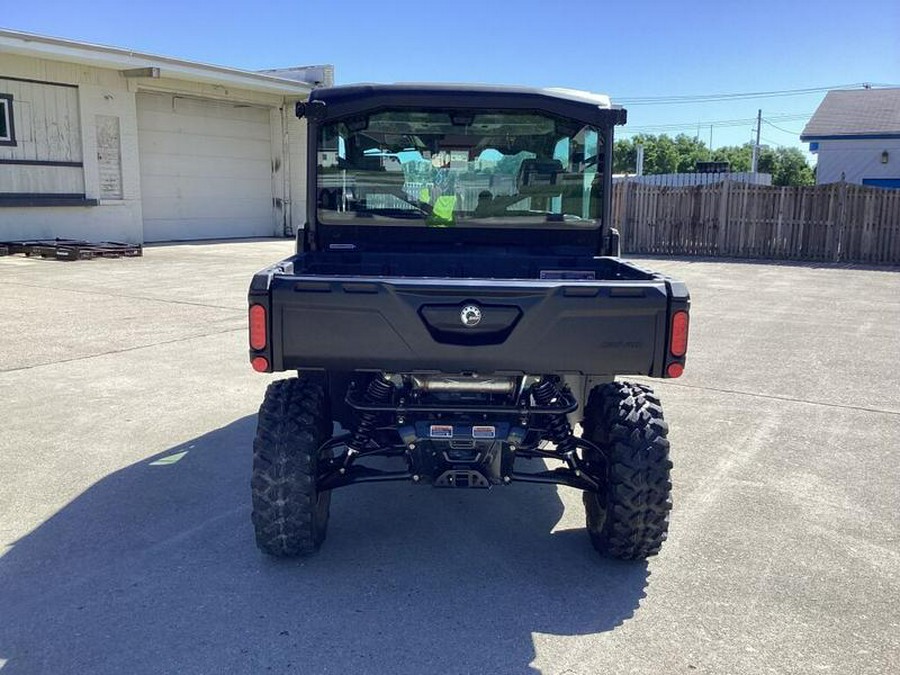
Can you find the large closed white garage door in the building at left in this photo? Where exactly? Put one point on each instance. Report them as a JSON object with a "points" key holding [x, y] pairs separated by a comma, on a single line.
{"points": [[205, 168]]}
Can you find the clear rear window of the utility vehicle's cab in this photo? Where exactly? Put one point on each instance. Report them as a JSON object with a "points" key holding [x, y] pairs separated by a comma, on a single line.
{"points": [[459, 168]]}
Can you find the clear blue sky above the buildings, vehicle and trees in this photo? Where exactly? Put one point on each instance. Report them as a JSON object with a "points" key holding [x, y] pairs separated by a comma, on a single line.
{"points": [[626, 49]]}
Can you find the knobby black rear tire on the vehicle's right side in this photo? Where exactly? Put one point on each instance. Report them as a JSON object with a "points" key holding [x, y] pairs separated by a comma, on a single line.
{"points": [[629, 518]]}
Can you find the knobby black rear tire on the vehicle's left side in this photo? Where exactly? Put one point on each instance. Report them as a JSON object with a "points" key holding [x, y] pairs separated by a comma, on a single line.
{"points": [[289, 515]]}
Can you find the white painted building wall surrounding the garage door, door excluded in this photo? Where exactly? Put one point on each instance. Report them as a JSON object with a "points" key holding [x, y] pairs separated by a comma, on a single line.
{"points": [[72, 123]]}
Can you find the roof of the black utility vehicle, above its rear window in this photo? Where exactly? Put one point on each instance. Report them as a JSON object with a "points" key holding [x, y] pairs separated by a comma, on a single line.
{"points": [[357, 98]]}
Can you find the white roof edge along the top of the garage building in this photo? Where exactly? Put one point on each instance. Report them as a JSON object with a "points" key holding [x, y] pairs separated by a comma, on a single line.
{"points": [[117, 58]]}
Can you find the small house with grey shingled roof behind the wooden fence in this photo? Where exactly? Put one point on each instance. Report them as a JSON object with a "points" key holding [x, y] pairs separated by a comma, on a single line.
{"points": [[856, 135]]}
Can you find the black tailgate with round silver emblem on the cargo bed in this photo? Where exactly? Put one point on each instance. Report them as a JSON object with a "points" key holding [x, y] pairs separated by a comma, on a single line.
{"points": [[453, 326]]}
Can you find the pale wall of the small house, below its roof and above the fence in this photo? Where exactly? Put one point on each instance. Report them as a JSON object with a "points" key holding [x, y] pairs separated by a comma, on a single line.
{"points": [[857, 159]]}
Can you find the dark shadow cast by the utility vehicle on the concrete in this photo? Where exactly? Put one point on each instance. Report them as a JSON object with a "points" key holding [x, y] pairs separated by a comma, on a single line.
{"points": [[154, 569]]}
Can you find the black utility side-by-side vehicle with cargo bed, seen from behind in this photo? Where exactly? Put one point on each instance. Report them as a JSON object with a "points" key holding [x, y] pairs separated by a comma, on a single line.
{"points": [[457, 311]]}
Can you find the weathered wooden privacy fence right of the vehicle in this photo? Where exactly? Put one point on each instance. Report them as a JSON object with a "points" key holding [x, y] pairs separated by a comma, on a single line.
{"points": [[839, 222]]}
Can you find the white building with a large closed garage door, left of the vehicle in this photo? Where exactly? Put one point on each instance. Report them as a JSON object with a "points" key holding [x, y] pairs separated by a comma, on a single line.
{"points": [[106, 144]]}
